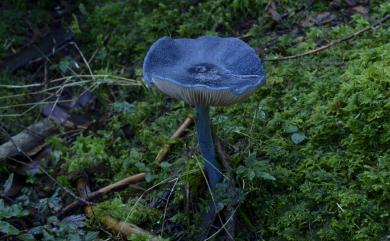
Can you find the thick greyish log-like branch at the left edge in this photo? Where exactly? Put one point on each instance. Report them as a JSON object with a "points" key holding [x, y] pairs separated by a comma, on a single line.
{"points": [[29, 138]]}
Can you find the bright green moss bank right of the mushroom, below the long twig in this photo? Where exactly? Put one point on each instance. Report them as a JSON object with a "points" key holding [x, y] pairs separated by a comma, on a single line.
{"points": [[342, 110]]}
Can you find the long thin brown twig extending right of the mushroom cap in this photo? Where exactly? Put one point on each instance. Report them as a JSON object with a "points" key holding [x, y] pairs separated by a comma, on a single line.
{"points": [[319, 49]]}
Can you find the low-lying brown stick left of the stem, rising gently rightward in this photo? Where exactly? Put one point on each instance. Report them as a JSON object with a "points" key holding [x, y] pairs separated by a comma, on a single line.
{"points": [[110, 188]]}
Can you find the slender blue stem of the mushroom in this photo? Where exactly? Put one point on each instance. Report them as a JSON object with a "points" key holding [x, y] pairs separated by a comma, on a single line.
{"points": [[206, 144]]}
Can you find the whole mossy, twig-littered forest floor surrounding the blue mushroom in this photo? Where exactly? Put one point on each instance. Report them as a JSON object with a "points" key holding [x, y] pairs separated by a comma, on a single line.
{"points": [[86, 150]]}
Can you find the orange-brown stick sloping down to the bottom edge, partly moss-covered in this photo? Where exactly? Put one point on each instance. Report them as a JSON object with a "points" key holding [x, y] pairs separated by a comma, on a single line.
{"points": [[110, 223]]}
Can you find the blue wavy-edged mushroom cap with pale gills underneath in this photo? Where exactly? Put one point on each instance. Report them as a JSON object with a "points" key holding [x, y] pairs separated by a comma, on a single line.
{"points": [[207, 71]]}
